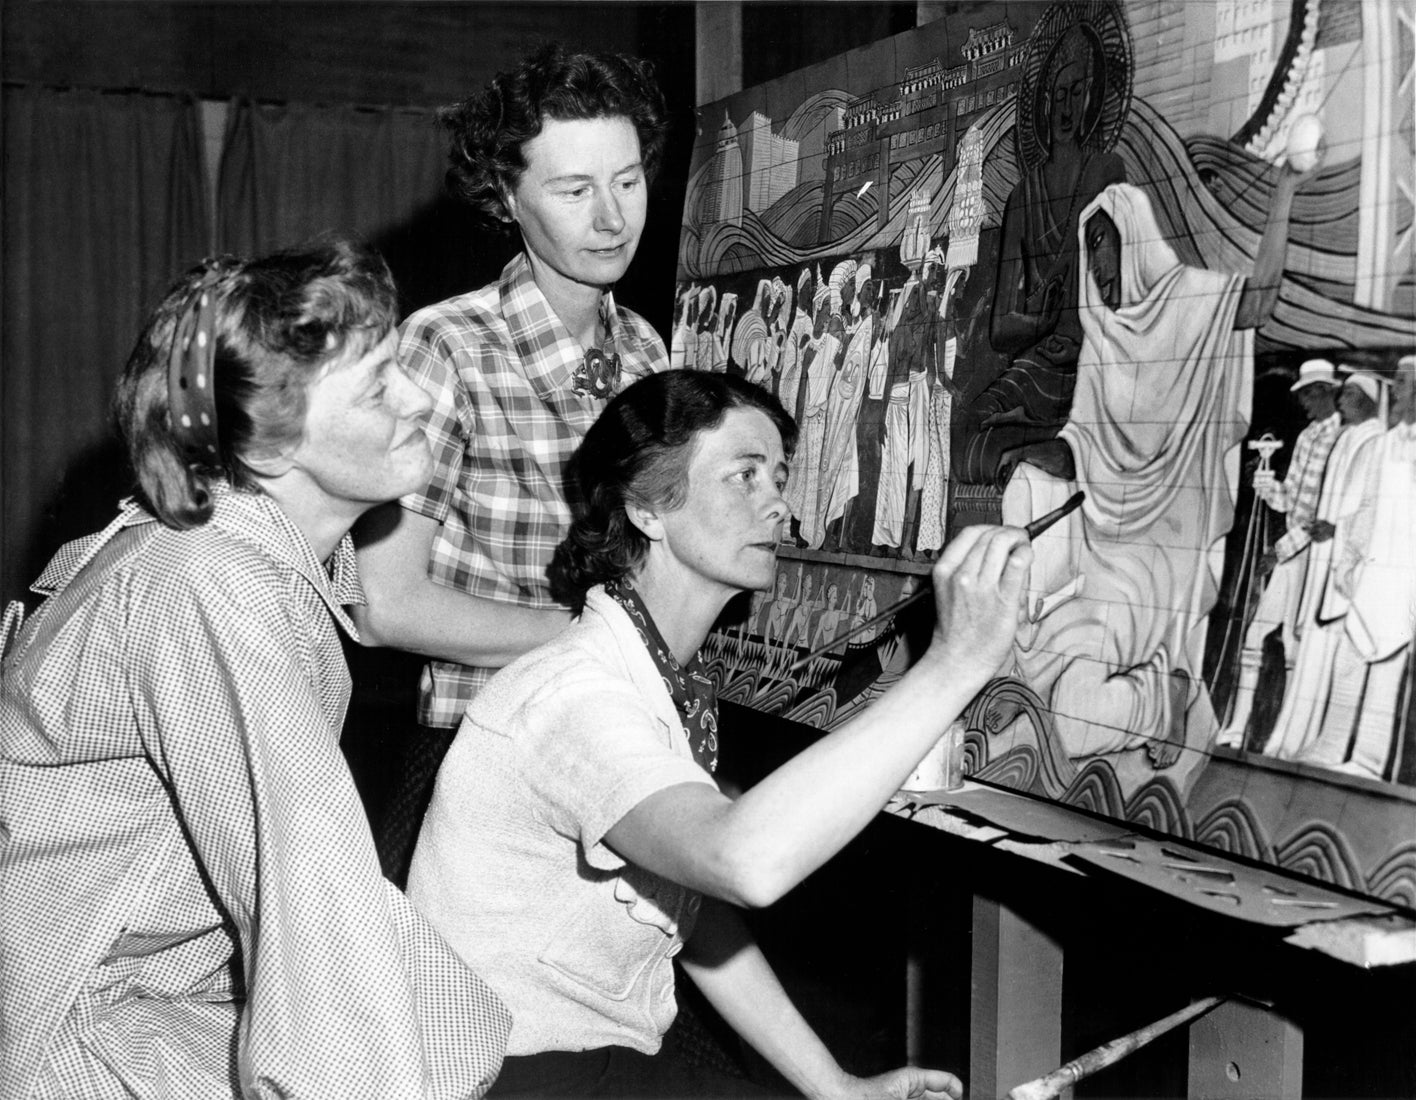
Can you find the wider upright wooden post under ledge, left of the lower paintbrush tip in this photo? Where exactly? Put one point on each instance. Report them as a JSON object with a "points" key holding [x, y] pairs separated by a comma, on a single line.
{"points": [[1016, 1030]]}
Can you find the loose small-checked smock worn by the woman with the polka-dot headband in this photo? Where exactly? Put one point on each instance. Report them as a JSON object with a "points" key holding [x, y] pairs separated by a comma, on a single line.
{"points": [[192, 904]]}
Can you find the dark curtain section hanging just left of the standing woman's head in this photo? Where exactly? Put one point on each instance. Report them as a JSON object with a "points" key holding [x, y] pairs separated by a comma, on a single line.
{"points": [[295, 172]]}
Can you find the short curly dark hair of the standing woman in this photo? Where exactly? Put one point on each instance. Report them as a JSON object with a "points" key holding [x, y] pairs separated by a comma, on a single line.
{"points": [[489, 130]]}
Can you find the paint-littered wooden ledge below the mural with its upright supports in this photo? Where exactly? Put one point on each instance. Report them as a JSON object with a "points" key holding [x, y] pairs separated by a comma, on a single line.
{"points": [[1240, 1051]]}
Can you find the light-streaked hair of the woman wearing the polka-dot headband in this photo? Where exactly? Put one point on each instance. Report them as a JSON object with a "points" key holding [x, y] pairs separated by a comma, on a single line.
{"points": [[280, 321]]}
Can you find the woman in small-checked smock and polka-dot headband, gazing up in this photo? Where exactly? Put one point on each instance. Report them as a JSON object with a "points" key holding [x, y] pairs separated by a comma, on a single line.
{"points": [[192, 905]]}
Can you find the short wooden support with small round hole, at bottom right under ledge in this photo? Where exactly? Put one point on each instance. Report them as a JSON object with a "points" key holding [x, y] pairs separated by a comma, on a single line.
{"points": [[1245, 1053]]}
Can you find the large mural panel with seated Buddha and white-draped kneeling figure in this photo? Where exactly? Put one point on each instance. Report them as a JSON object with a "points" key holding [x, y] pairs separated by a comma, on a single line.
{"points": [[1158, 253]]}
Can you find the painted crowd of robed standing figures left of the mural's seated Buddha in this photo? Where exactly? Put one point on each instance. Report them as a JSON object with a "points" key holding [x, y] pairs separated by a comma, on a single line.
{"points": [[867, 373]]}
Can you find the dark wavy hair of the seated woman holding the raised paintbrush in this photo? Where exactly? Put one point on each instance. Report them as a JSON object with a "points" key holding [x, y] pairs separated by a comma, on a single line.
{"points": [[638, 452]]}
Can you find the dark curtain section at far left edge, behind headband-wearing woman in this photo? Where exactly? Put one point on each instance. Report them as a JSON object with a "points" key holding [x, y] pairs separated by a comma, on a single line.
{"points": [[104, 205]]}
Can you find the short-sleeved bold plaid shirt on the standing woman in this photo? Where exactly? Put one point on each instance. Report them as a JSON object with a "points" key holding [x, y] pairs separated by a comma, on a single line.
{"points": [[505, 423]]}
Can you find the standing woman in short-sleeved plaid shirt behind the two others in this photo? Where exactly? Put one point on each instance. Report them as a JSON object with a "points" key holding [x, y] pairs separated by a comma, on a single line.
{"points": [[561, 151]]}
